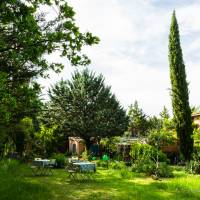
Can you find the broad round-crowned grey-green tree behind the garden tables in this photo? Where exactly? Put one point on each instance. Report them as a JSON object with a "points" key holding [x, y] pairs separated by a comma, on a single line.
{"points": [[86, 107]]}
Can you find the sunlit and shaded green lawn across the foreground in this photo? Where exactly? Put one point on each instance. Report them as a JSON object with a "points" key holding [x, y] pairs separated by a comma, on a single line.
{"points": [[17, 183]]}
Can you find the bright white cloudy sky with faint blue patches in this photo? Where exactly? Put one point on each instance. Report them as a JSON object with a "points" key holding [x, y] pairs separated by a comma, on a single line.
{"points": [[133, 52]]}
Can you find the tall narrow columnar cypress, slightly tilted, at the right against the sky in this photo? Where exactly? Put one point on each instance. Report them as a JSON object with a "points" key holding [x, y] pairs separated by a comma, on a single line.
{"points": [[179, 92]]}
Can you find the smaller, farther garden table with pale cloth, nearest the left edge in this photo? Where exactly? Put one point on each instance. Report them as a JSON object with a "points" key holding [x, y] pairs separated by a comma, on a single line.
{"points": [[41, 167]]}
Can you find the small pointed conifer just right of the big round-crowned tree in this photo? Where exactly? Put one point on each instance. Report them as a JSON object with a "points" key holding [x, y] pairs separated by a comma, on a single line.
{"points": [[138, 123]]}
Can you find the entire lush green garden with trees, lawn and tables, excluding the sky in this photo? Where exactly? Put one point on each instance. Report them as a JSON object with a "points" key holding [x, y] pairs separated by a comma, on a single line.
{"points": [[80, 142]]}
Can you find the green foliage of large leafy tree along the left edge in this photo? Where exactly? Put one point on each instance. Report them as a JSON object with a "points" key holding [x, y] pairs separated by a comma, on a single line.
{"points": [[27, 36]]}
